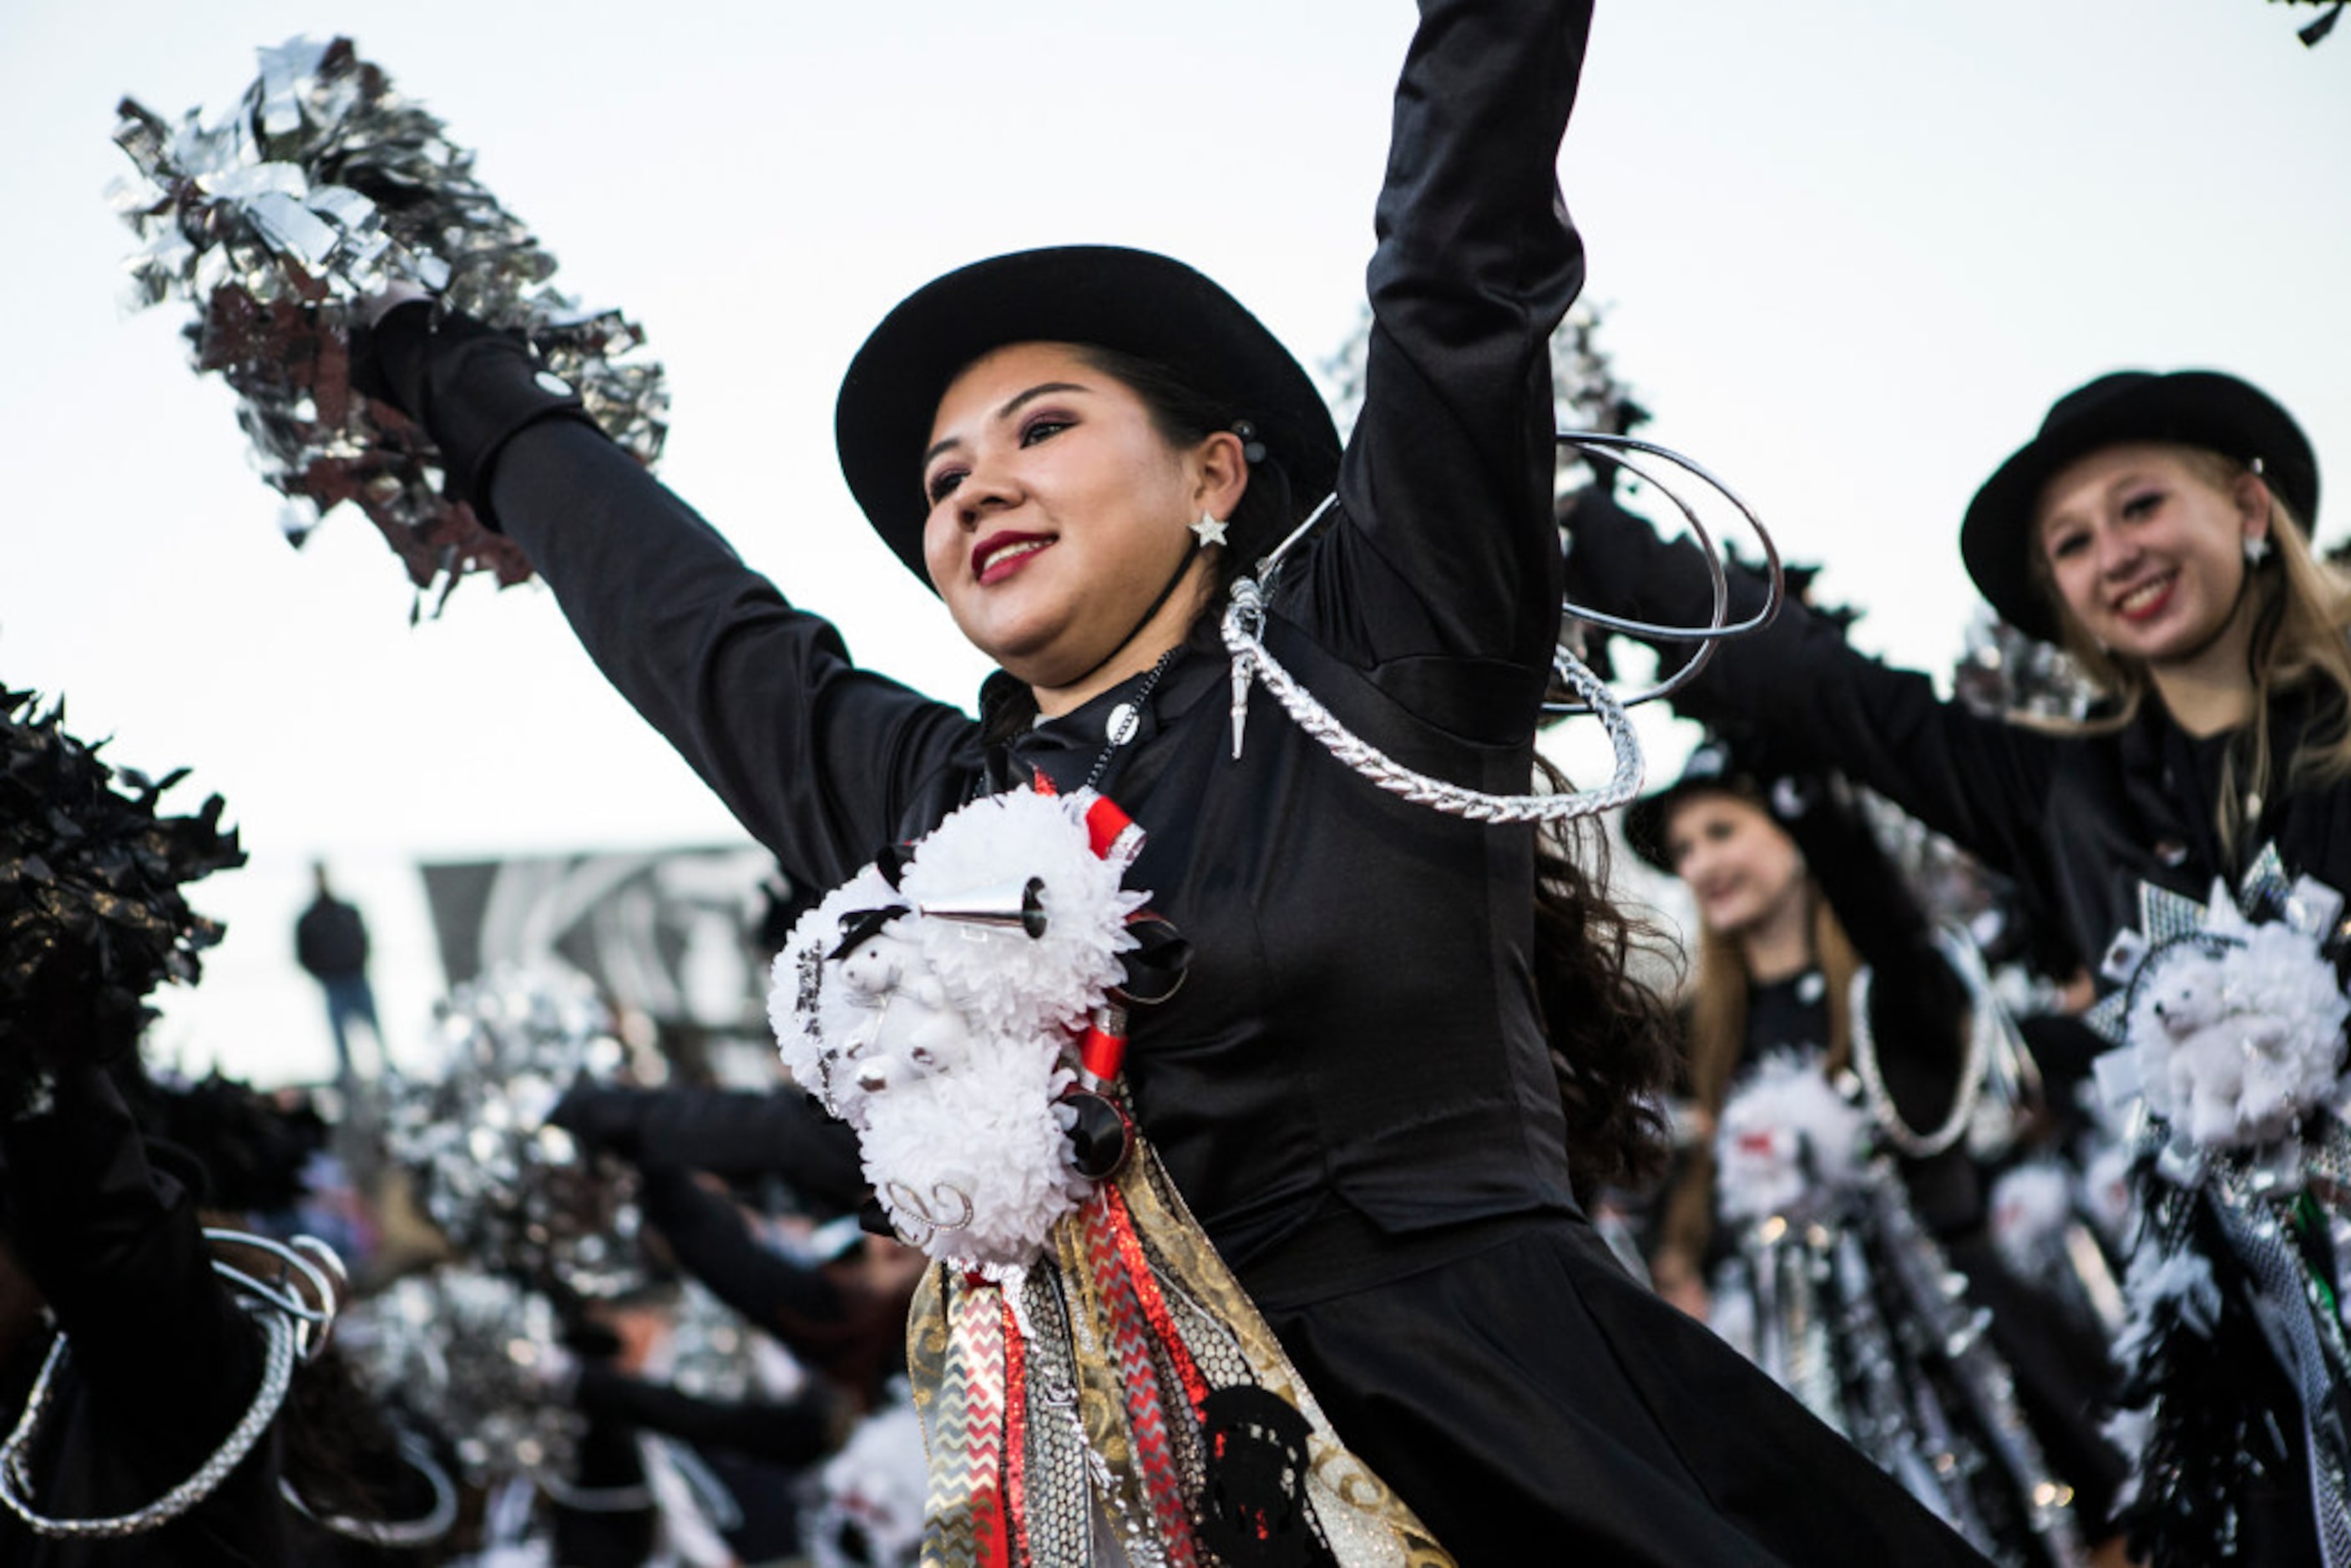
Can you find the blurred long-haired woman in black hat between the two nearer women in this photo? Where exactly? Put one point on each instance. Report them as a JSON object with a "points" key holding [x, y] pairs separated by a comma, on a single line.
{"points": [[1795, 902]]}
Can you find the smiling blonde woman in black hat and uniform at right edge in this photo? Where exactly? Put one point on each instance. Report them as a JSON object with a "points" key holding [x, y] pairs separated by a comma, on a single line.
{"points": [[2157, 528]]}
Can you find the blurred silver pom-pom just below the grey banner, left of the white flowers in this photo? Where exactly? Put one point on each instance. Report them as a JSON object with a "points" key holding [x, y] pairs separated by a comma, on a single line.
{"points": [[509, 1191]]}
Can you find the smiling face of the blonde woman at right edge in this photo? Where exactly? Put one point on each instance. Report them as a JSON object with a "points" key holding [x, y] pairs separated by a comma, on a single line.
{"points": [[2148, 551]]}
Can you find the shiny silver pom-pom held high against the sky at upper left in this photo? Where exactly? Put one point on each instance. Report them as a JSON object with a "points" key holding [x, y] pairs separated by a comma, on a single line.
{"points": [[319, 189]]}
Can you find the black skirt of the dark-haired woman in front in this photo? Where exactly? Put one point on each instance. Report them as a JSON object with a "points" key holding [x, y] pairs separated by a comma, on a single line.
{"points": [[1536, 1405]]}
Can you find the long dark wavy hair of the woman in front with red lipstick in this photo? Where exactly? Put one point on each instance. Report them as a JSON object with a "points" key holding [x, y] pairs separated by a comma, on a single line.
{"points": [[1612, 1033]]}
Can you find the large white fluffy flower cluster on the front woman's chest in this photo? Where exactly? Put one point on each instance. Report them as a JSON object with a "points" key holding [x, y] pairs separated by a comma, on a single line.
{"points": [[942, 1040]]}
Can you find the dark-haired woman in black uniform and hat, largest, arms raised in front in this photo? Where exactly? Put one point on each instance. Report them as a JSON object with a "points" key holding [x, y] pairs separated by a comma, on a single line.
{"points": [[1407, 1038]]}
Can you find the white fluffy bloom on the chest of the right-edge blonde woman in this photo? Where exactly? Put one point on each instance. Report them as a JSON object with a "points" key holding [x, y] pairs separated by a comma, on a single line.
{"points": [[2235, 1045]]}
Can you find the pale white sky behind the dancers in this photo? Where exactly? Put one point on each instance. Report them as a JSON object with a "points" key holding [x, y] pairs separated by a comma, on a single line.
{"points": [[1849, 255]]}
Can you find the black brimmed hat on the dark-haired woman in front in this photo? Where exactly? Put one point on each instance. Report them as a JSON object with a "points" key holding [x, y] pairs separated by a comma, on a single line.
{"points": [[1099, 295]]}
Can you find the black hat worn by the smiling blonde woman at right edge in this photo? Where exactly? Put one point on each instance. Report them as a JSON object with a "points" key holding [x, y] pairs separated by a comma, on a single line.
{"points": [[2192, 408]]}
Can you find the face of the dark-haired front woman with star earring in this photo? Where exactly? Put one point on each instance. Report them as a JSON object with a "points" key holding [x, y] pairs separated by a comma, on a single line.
{"points": [[1059, 514]]}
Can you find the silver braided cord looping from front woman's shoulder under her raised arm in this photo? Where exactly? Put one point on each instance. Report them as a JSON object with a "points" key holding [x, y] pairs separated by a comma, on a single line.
{"points": [[1252, 664]]}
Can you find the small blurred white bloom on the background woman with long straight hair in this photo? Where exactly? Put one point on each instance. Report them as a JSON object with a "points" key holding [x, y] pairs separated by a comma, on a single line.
{"points": [[1788, 1144]]}
